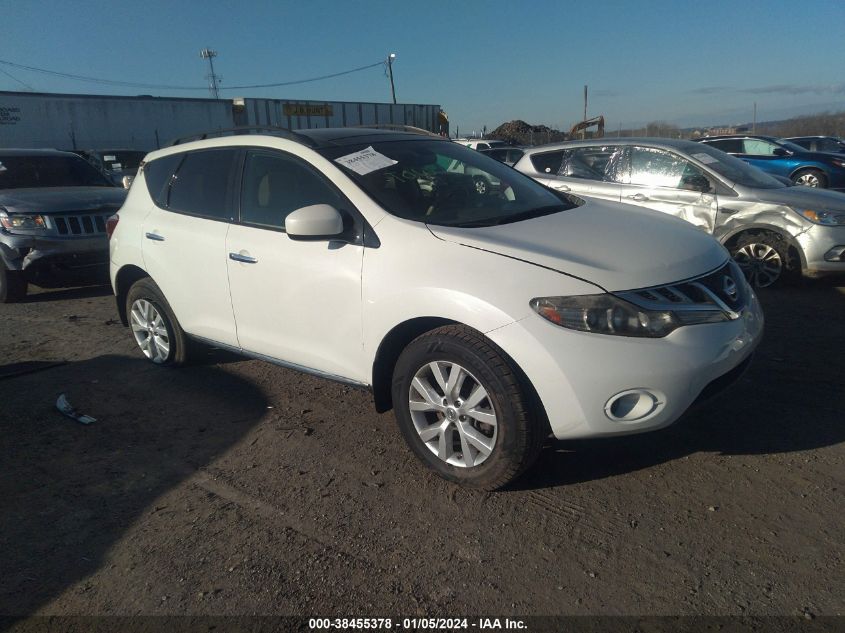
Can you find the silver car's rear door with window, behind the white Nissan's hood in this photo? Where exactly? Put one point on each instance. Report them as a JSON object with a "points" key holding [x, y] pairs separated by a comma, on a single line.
{"points": [[588, 171]]}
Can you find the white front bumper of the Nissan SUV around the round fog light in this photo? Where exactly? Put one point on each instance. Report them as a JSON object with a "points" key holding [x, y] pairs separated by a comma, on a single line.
{"points": [[579, 375]]}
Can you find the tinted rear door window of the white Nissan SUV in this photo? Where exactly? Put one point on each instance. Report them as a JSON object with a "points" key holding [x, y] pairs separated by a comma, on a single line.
{"points": [[202, 184]]}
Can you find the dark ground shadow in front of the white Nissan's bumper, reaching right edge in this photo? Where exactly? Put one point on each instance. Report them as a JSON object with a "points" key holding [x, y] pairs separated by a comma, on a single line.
{"points": [[789, 400]]}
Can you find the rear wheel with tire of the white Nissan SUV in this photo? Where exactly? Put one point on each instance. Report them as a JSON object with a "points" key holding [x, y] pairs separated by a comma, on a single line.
{"points": [[154, 326]]}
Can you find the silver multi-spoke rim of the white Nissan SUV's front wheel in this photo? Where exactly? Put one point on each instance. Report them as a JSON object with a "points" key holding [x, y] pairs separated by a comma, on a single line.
{"points": [[453, 414]]}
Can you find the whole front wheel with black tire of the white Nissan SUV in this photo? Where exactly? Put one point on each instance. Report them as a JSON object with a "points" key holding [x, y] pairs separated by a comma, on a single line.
{"points": [[463, 410]]}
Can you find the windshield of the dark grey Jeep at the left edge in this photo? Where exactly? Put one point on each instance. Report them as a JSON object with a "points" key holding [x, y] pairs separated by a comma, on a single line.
{"points": [[19, 172]]}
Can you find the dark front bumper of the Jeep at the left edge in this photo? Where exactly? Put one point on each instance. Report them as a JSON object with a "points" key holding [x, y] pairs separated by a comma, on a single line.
{"points": [[56, 261]]}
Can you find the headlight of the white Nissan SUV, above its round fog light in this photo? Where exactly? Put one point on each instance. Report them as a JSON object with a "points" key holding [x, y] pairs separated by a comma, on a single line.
{"points": [[606, 314]]}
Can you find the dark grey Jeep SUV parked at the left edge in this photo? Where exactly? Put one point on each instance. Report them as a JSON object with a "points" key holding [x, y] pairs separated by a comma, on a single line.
{"points": [[54, 208]]}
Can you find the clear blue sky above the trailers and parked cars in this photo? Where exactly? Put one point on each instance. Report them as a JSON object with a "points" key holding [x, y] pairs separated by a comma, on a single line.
{"points": [[484, 61]]}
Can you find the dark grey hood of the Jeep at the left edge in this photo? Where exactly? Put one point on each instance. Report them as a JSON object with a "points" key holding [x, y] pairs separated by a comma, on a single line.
{"points": [[61, 199]]}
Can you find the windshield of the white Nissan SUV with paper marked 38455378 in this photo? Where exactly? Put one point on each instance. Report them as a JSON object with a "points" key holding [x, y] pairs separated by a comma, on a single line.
{"points": [[444, 183]]}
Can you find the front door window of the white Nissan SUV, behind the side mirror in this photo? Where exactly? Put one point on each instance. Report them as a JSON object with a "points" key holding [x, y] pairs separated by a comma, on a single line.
{"points": [[275, 184]]}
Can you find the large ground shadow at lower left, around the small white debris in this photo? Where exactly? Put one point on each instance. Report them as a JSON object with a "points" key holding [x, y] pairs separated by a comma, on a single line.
{"points": [[70, 491]]}
